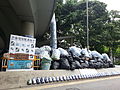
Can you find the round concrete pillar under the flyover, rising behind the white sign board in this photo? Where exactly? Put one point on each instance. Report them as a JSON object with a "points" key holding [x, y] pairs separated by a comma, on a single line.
{"points": [[28, 28]]}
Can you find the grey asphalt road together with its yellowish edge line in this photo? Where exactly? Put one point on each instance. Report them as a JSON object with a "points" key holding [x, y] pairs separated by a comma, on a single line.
{"points": [[109, 83]]}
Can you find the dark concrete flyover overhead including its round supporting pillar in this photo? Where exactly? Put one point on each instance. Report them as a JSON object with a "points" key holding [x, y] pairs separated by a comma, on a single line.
{"points": [[24, 17]]}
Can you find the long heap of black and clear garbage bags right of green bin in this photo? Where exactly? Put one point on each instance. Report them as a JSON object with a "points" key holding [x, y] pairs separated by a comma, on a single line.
{"points": [[77, 58]]}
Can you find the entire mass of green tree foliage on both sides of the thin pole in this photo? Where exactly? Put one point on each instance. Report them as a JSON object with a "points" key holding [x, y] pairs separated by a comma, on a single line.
{"points": [[104, 26]]}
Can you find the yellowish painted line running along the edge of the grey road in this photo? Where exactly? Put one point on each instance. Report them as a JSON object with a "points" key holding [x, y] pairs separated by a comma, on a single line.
{"points": [[66, 84]]}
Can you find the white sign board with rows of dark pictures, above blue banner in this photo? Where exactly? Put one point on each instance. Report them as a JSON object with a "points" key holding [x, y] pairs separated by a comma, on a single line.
{"points": [[21, 44]]}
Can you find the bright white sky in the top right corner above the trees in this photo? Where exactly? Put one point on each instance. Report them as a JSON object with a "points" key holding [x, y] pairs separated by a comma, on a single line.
{"points": [[112, 4]]}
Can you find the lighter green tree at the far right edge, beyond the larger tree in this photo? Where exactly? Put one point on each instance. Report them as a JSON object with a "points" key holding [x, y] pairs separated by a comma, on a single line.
{"points": [[111, 33]]}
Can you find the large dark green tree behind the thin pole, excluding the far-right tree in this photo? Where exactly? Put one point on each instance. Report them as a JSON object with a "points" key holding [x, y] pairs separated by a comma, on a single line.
{"points": [[71, 21]]}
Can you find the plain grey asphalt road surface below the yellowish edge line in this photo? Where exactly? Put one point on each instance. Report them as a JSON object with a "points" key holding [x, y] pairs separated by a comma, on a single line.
{"points": [[111, 84]]}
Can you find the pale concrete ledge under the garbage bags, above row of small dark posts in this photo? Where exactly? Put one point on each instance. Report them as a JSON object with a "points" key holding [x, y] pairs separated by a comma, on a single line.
{"points": [[15, 79]]}
